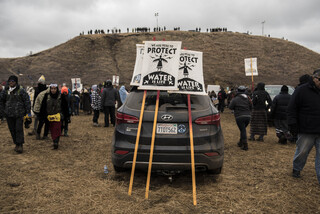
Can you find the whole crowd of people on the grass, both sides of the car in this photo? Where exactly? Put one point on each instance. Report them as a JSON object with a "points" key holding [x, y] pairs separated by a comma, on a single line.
{"points": [[296, 117]]}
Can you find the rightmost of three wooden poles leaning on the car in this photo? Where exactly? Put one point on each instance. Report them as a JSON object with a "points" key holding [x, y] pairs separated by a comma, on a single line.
{"points": [[194, 193]]}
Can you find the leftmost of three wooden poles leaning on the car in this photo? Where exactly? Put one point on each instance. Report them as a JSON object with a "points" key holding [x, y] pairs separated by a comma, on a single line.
{"points": [[137, 141]]}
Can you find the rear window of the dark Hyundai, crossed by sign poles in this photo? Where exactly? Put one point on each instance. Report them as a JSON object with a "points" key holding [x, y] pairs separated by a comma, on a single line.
{"points": [[167, 101]]}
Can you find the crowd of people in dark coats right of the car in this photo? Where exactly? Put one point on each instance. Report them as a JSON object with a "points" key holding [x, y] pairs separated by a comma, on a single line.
{"points": [[296, 117]]}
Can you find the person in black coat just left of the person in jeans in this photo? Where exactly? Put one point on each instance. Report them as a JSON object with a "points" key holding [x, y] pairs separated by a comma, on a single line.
{"points": [[279, 114]]}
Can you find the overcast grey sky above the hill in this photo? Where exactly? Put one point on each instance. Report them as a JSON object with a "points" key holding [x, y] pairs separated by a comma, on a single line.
{"points": [[36, 25]]}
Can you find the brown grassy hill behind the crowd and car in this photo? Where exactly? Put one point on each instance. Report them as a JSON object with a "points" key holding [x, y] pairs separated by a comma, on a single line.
{"points": [[95, 58]]}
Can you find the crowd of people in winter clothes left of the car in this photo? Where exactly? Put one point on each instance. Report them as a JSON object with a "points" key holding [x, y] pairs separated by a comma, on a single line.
{"points": [[53, 108]]}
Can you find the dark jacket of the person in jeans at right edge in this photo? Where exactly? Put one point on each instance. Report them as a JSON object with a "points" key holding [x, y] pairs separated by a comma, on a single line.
{"points": [[304, 109]]}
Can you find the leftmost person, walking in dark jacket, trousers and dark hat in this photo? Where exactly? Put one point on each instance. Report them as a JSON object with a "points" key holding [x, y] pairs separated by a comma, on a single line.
{"points": [[15, 103]]}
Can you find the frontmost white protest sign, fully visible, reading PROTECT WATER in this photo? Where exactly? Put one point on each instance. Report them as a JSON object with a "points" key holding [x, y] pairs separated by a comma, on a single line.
{"points": [[160, 65]]}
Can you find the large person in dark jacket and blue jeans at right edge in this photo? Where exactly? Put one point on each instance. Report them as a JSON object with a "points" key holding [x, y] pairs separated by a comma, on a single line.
{"points": [[304, 121]]}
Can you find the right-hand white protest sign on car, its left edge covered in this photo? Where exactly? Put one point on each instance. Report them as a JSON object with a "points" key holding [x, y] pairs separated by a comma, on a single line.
{"points": [[190, 73]]}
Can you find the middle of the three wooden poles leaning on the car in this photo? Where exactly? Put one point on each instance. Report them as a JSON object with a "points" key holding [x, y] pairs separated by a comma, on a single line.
{"points": [[152, 144]]}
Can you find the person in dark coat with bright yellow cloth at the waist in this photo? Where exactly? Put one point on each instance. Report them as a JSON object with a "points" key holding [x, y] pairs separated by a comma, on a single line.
{"points": [[54, 106]]}
